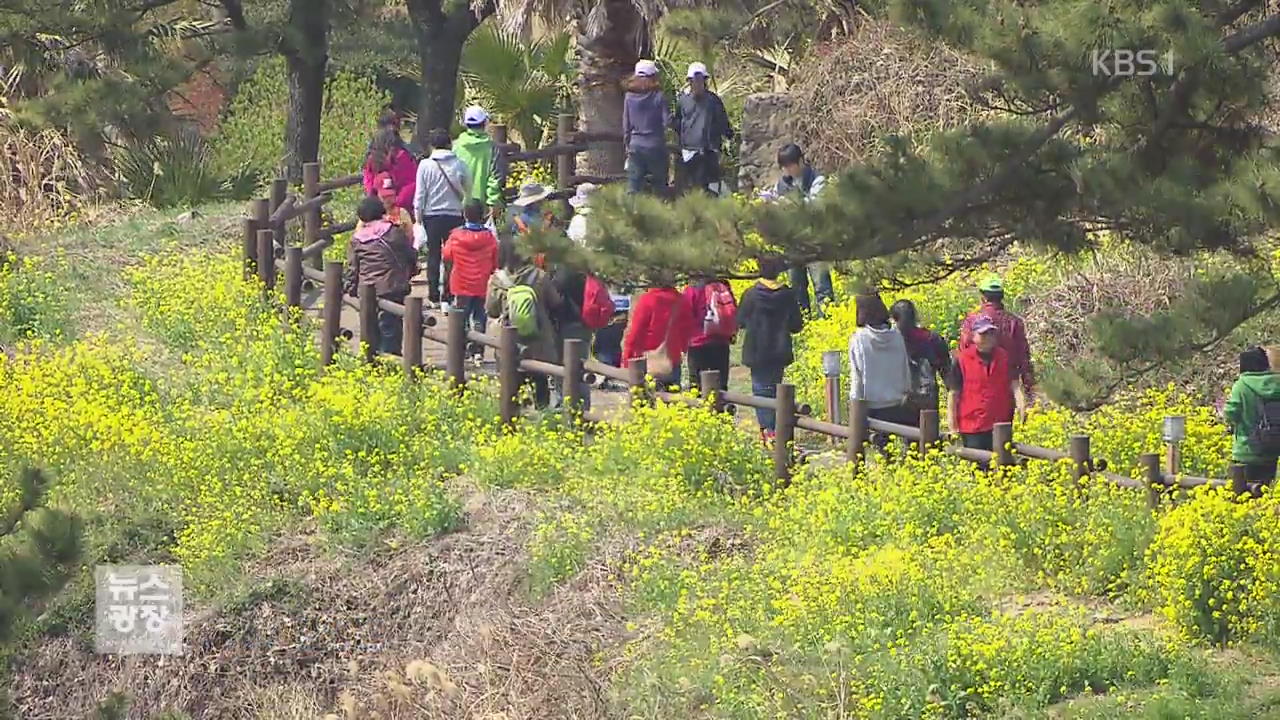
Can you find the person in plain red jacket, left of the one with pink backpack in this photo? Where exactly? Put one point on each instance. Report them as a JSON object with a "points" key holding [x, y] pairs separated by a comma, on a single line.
{"points": [[661, 320]]}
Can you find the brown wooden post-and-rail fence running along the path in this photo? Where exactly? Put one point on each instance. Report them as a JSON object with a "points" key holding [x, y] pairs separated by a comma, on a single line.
{"points": [[268, 257]]}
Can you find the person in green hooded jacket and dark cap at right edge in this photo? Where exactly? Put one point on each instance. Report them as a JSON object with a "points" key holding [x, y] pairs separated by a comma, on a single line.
{"points": [[1256, 386]]}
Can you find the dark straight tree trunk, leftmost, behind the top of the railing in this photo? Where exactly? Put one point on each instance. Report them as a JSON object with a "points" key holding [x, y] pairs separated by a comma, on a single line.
{"points": [[307, 56]]}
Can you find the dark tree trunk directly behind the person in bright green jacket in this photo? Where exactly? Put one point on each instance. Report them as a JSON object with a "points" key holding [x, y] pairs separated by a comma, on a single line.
{"points": [[441, 38]]}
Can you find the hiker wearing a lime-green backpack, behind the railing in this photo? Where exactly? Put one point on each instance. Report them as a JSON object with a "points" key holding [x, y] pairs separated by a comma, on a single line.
{"points": [[523, 295]]}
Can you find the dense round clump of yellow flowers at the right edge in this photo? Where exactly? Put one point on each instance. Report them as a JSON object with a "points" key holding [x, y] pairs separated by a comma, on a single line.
{"points": [[1215, 568]]}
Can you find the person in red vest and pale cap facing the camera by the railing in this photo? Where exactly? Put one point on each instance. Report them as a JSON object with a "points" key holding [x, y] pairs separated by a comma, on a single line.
{"points": [[984, 389]]}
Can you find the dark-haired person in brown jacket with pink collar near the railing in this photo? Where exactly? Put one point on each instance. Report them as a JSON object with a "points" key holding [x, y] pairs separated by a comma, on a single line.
{"points": [[382, 256]]}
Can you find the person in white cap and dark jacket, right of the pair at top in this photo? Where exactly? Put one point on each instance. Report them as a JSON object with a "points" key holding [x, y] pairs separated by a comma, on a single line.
{"points": [[702, 127]]}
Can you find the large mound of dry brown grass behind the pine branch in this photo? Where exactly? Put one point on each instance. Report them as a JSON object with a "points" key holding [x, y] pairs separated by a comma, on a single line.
{"points": [[879, 80]]}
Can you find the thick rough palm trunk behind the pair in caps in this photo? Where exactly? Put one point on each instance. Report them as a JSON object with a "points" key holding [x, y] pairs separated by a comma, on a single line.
{"points": [[607, 57]]}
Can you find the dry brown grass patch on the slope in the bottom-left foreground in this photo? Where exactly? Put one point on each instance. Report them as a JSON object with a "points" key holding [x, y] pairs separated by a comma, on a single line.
{"points": [[444, 630]]}
